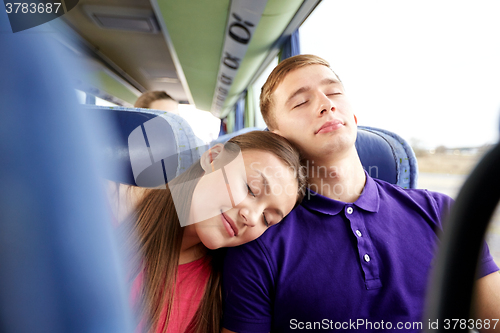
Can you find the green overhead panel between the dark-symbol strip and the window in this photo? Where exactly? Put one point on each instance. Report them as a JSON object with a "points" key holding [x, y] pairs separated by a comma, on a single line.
{"points": [[276, 17]]}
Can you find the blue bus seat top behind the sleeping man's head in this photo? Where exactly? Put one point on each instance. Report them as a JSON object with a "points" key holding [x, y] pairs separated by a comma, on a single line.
{"points": [[383, 154]]}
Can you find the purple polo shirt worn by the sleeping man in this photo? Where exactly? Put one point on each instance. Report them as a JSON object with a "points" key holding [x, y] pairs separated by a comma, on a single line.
{"points": [[335, 265]]}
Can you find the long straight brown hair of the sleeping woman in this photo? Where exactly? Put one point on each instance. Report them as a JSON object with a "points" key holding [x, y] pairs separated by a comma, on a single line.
{"points": [[159, 236]]}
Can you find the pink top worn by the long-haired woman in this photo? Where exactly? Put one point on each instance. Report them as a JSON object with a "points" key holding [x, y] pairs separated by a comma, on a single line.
{"points": [[191, 282]]}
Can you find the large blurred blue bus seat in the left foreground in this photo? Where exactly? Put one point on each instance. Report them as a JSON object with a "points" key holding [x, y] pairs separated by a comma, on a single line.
{"points": [[60, 266]]}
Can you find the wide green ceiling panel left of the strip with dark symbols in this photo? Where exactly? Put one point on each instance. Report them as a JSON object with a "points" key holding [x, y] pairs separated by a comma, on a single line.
{"points": [[197, 30]]}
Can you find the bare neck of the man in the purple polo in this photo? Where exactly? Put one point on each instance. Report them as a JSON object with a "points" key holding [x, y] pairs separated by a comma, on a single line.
{"points": [[341, 179]]}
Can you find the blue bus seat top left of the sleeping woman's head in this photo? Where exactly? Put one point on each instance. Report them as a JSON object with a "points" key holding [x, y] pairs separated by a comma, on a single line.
{"points": [[152, 147]]}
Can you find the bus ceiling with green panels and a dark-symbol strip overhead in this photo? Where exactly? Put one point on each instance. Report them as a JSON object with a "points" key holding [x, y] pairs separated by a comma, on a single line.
{"points": [[205, 53]]}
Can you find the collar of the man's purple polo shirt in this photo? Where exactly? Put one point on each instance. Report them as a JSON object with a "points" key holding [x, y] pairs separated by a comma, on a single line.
{"points": [[369, 200]]}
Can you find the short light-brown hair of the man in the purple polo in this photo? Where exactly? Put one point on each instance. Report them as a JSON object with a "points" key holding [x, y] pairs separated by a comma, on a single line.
{"points": [[277, 76]]}
